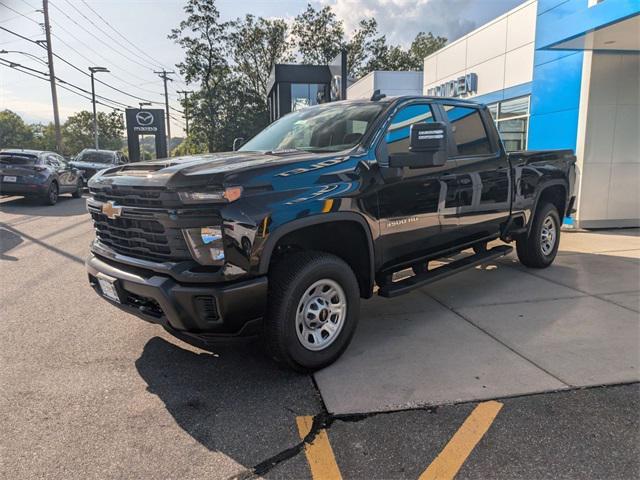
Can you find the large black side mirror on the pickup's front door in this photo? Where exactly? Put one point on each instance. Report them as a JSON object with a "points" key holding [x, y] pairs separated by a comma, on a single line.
{"points": [[427, 147]]}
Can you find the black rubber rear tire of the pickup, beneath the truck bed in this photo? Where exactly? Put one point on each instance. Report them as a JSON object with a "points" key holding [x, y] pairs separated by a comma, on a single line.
{"points": [[536, 250]]}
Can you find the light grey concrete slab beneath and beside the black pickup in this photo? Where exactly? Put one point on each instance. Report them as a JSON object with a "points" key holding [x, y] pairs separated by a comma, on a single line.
{"points": [[499, 330]]}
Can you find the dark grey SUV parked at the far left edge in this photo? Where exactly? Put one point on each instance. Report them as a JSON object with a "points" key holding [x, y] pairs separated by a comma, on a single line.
{"points": [[34, 173]]}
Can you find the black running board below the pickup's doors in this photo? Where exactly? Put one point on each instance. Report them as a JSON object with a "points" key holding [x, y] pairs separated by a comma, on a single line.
{"points": [[405, 286]]}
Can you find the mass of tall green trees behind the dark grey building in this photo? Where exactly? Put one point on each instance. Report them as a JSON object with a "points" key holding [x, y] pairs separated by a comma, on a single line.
{"points": [[230, 63]]}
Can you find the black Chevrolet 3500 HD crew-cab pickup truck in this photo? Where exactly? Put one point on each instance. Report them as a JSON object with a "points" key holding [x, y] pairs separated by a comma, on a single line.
{"points": [[320, 209]]}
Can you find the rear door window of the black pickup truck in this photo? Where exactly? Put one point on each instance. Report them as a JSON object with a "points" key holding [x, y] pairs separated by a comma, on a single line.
{"points": [[468, 130]]}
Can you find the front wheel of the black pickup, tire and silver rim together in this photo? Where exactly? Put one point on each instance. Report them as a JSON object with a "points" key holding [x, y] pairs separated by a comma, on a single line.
{"points": [[314, 305]]}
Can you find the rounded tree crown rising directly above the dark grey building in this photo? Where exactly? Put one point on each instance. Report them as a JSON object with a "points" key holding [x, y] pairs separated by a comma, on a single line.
{"points": [[319, 35]]}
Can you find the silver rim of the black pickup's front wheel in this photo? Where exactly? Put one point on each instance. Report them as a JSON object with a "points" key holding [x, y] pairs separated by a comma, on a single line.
{"points": [[321, 314]]}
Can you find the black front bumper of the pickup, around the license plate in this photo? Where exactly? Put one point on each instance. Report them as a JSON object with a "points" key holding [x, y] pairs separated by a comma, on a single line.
{"points": [[202, 310]]}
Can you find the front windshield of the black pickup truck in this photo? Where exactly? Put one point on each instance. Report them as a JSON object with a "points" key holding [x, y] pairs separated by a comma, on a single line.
{"points": [[325, 128]]}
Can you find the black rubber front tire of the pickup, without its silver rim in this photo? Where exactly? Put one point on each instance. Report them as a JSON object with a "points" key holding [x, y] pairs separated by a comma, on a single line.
{"points": [[289, 281]]}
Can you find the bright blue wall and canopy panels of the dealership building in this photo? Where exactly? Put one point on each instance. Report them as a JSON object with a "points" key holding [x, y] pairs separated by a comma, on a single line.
{"points": [[557, 73]]}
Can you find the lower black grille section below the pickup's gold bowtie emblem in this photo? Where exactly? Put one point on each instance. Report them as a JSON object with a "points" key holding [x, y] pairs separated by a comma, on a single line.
{"points": [[145, 239]]}
